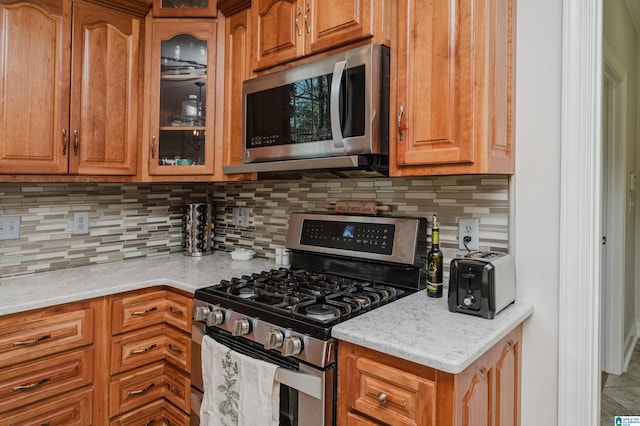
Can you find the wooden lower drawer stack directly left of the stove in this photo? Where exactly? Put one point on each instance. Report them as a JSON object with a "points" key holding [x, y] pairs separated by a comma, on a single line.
{"points": [[149, 358]]}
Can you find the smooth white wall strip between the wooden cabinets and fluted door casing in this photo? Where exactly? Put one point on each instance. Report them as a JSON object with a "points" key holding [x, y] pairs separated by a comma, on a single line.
{"points": [[537, 200]]}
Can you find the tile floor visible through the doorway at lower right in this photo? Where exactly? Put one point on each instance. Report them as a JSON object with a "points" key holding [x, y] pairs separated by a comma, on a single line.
{"points": [[621, 394]]}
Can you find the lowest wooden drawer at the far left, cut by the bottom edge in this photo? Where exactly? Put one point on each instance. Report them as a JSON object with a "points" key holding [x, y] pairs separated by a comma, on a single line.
{"points": [[69, 410]]}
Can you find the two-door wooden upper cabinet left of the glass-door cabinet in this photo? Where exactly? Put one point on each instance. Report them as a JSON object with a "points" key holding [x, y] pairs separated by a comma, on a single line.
{"points": [[69, 86]]}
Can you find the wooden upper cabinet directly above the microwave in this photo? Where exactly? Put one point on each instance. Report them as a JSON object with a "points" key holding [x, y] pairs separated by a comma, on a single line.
{"points": [[289, 29]]}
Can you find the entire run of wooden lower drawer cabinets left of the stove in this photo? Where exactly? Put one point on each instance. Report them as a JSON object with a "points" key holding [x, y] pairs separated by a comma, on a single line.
{"points": [[114, 360]]}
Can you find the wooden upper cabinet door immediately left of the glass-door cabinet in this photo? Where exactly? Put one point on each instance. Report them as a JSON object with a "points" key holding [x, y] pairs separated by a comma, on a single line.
{"points": [[104, 89]]}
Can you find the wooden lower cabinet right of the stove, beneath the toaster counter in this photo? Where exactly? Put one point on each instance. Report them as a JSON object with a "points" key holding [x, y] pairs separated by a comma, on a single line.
{"points": [[379, 389]]}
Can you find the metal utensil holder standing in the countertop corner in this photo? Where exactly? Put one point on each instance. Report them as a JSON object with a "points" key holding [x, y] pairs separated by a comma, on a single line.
{"points": [[197, 232]]}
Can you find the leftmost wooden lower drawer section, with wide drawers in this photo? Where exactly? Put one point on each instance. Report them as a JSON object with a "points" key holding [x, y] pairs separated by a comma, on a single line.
{"points": [[47, 365]]}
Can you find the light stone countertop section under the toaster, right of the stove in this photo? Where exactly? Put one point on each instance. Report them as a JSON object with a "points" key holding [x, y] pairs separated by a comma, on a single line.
{"points": [[421, 329]]}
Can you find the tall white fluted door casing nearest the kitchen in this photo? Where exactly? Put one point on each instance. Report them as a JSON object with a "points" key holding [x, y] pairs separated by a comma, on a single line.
{"points": [[579, 239]]}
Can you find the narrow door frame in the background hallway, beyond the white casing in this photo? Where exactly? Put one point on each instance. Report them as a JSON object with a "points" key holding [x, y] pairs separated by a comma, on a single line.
{"points": [[613, 267]]}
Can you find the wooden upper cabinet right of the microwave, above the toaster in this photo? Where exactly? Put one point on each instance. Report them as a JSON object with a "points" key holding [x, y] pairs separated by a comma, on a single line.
{"points": [[455, 64]]}
